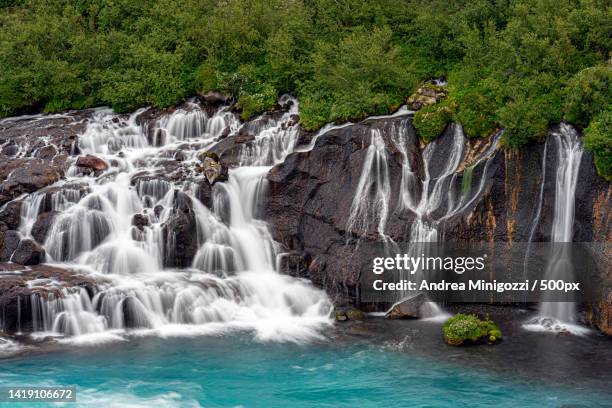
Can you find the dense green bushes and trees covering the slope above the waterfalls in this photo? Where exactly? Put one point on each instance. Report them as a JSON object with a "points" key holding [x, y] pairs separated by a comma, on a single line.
{"points": [[521, 65]]}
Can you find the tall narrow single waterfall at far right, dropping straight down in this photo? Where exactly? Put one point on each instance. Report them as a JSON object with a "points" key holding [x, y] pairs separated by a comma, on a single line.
{"points": [[561, 316]]}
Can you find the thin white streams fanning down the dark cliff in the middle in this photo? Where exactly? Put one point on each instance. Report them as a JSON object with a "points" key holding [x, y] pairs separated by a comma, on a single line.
{"points": [[432, 198]]}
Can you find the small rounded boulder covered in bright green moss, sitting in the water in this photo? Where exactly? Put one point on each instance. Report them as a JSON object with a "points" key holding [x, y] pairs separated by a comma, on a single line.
{"points": [[464, 329]]}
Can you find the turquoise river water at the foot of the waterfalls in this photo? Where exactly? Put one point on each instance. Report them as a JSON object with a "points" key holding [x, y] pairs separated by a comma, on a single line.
{"points": [[375, 363]]}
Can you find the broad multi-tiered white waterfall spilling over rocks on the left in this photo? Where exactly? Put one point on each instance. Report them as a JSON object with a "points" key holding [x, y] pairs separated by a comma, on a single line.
{"points": [[232, 283]]}
